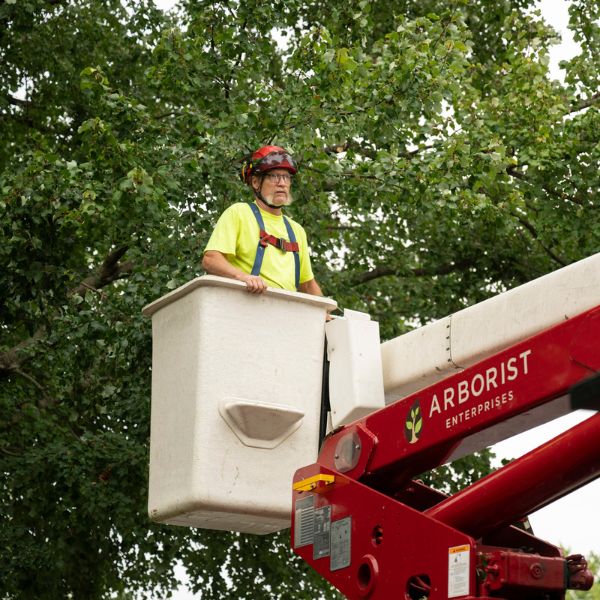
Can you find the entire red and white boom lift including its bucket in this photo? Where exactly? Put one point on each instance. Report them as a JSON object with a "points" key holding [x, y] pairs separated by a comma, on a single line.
{"points": [[222, 446]]}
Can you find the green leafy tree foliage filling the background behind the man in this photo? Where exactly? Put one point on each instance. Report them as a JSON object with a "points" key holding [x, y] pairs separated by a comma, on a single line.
{"points": [[439, 165]]}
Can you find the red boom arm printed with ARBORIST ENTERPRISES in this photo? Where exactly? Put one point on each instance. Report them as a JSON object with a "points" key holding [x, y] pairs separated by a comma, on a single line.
{"points": [[462, 413]]}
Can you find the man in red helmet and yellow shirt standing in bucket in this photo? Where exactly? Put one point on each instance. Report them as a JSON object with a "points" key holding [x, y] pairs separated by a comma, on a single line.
{"points": [[255, 243]]}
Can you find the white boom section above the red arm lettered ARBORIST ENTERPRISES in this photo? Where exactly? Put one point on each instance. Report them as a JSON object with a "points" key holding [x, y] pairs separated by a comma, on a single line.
{"points": [[435, 351]]}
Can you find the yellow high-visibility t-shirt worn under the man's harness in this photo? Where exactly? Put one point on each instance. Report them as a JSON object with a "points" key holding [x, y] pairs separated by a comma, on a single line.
{"points": [[236, 235]]}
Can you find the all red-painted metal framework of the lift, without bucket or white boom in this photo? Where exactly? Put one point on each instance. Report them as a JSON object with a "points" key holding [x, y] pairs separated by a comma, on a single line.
{"points": [[404, 540]]}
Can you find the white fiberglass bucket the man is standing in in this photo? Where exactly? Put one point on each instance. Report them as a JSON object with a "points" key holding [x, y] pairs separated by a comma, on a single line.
{"points": [[236, 392]]}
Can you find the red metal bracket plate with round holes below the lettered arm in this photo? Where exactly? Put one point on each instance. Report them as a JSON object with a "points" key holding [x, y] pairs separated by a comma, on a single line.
{"points": [[392, 544]]}
